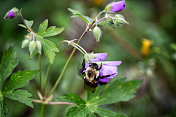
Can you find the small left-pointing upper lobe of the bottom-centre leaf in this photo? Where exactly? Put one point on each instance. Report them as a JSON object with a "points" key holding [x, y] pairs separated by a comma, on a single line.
{"points": [[72, 98]]}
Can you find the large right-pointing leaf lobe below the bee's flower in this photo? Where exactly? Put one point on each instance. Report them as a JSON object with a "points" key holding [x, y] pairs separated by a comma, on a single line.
{"points": [[119, 91]]}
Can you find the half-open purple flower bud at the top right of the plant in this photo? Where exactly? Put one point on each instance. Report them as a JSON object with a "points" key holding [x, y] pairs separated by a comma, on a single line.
{"points": [[115, 7]]}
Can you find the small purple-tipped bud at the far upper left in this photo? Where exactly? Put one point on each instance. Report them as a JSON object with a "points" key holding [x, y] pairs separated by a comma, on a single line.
{"points": [[11, 14]]}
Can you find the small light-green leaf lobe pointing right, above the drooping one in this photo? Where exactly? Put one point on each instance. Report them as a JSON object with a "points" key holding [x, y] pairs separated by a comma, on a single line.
{"points": [[52, 31]]}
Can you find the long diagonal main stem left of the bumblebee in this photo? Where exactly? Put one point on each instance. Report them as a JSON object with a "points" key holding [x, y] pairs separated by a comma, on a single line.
{"points": [[70, 57]]}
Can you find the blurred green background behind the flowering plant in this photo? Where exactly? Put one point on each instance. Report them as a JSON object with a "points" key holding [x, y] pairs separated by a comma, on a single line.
{"points": [[154, 20]]}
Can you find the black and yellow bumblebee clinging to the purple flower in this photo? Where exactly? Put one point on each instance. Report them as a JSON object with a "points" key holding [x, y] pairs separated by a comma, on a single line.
{"points": [[92, 75]]}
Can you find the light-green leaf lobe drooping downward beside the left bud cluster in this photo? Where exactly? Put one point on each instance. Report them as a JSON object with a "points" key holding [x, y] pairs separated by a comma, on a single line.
{"points": [[49, 49]]}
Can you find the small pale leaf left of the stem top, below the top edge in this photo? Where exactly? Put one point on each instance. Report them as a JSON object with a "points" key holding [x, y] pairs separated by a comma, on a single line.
{"points": [[78, 14]]}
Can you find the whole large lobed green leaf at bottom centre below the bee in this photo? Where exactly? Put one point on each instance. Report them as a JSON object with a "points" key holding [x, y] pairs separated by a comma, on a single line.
{"points": [[119, 90]]}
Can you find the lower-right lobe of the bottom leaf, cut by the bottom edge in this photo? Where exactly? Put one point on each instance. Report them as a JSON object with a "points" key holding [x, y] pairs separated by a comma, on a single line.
{"points": [[108, 113]]}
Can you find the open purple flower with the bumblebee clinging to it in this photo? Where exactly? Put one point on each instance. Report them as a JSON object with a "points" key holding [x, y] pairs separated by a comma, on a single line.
{"points": [[109, 68]]}
